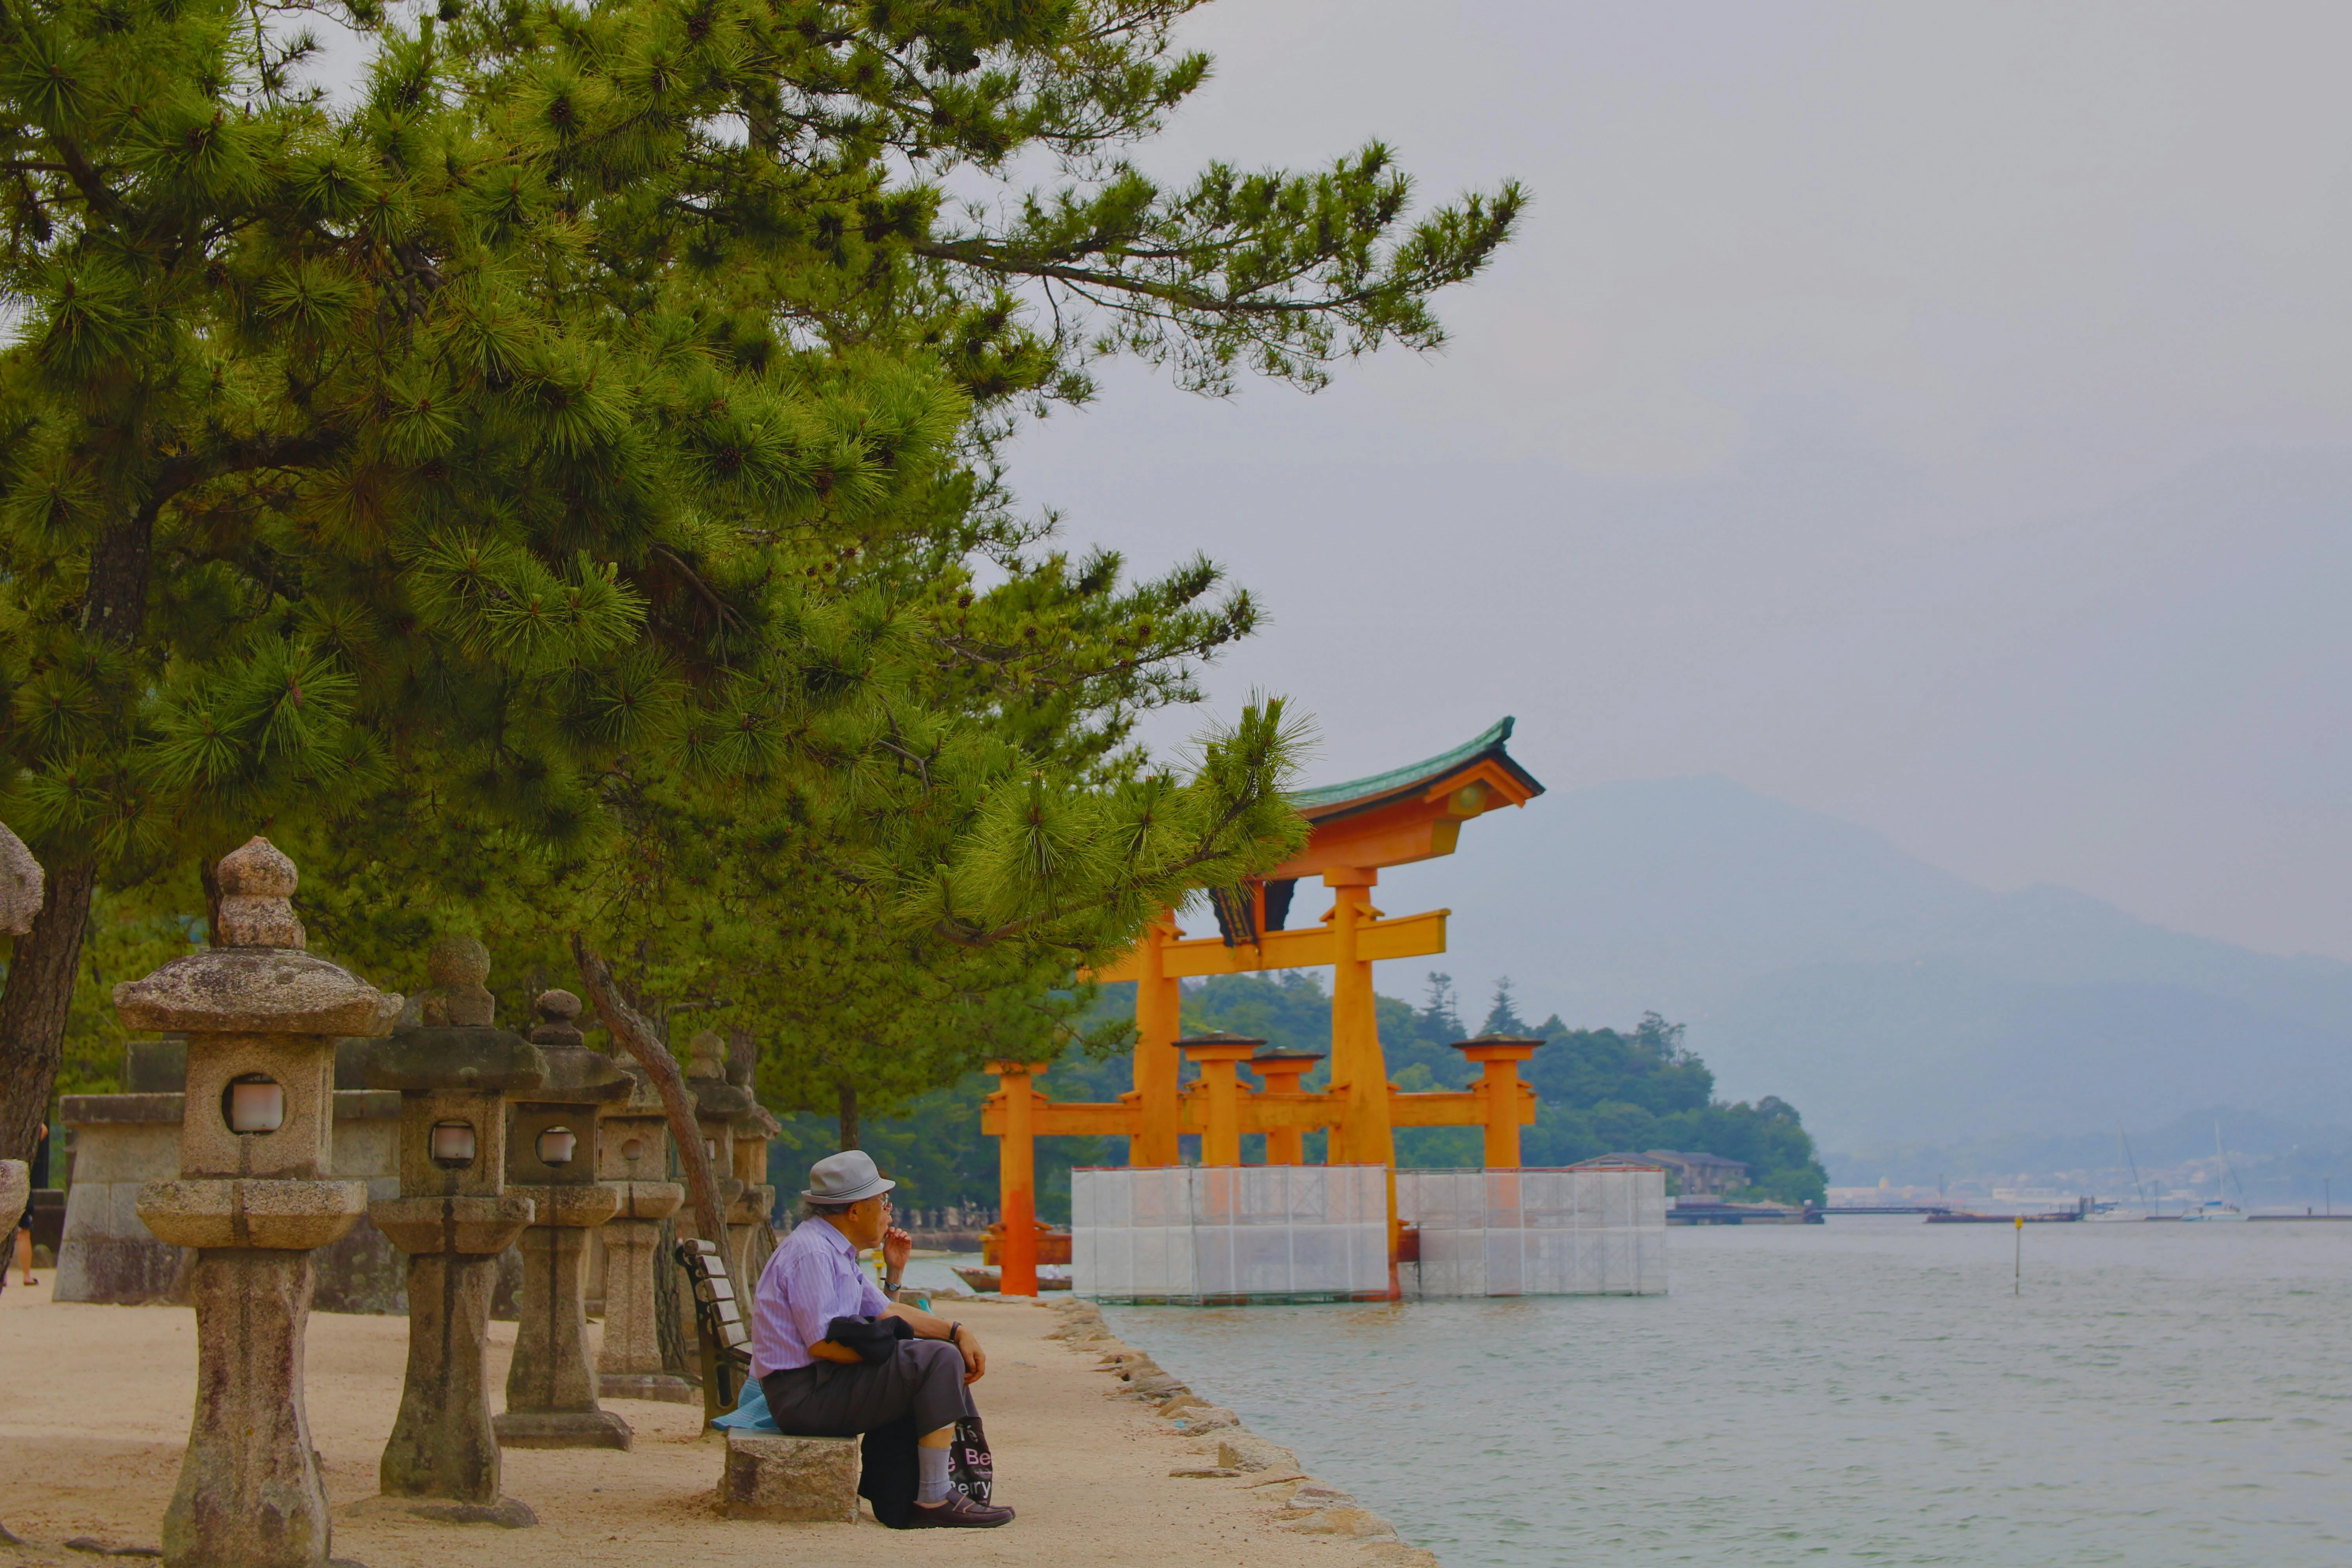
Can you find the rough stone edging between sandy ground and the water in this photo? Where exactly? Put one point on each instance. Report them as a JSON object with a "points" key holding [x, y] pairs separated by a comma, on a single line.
{"points": [[1229, 1452]]}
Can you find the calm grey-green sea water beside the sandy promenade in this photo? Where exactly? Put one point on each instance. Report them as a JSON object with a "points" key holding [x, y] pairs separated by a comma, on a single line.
{"points": [[1852, 1393]]}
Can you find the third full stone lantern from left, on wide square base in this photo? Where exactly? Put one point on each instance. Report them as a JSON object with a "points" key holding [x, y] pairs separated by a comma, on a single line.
{"points": [[552, 1155]]}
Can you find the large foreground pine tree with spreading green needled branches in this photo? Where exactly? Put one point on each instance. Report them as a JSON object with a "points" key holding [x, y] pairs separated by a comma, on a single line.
{"points": [[519, 460]]}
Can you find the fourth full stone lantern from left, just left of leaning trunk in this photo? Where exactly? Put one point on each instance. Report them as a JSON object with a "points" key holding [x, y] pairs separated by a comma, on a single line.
{"points": [[634, 1160]]}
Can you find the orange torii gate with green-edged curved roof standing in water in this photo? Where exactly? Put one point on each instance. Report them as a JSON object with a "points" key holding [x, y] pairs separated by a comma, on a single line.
{"points": [[1391, 819]]}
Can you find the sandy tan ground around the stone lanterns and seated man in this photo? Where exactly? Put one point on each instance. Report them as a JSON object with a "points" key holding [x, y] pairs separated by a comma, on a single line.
{"points": [[98, 1407]]}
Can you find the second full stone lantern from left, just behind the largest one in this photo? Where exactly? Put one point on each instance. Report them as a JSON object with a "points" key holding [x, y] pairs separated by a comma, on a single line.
{"points": [[453, 1219]]}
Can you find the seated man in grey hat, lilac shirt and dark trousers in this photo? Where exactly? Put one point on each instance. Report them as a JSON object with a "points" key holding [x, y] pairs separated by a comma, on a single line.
{"points": [[817, 1388]]}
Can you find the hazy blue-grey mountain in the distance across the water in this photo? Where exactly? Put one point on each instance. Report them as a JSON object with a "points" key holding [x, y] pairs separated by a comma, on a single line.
{"points": [[1885, 998]]}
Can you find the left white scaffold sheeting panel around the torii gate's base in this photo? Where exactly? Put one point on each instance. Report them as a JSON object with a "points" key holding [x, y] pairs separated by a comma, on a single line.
{"points": [[1229, 1233]]}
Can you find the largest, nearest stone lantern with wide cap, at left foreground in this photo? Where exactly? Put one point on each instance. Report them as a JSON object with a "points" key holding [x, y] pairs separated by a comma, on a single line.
{"points": [[255, 1198]]}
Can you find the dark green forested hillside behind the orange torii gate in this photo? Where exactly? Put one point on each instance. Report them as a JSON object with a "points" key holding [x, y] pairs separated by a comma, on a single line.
{"points": [[1601, 1092]]}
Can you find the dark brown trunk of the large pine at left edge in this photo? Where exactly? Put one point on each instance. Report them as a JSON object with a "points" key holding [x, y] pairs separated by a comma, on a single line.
{"points": [[39, 989]]}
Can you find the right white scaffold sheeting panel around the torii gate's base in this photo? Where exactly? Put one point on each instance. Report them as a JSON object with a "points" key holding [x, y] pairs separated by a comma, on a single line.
{"points": [[1535, 1233]]}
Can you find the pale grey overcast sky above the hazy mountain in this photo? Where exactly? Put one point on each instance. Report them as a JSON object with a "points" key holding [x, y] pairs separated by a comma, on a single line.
{"points": [[1935, 415]]}
